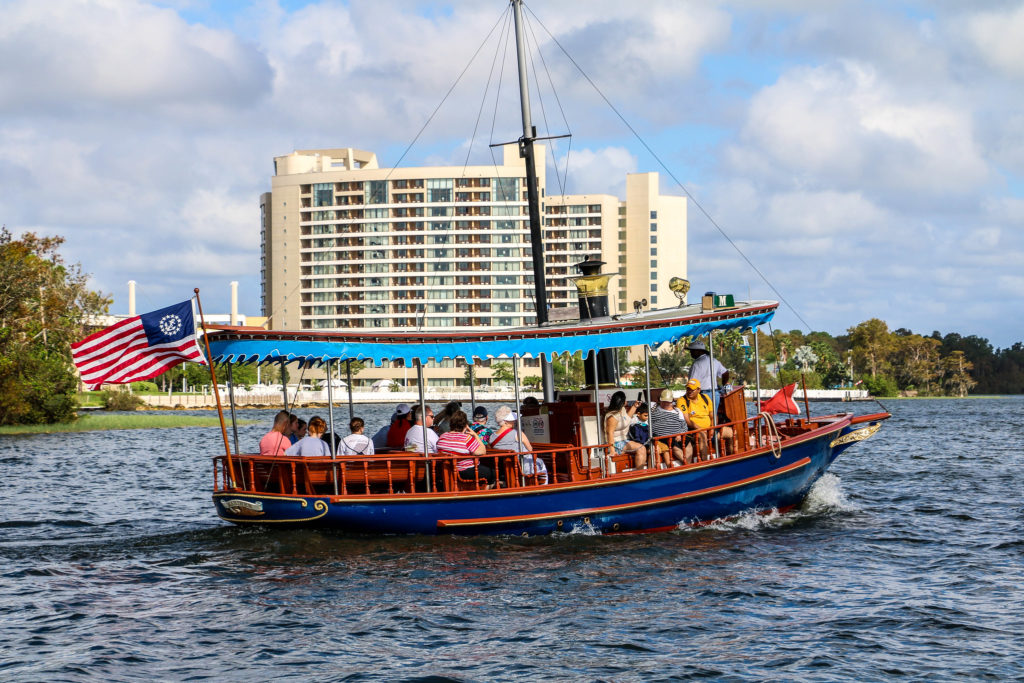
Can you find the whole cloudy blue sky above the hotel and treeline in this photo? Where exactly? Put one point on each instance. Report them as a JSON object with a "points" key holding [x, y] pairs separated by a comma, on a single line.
{"points": [[868, 157]]}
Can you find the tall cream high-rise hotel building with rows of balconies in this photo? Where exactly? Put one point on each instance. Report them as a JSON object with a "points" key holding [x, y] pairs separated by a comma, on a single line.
{"points": [[350, 245]]}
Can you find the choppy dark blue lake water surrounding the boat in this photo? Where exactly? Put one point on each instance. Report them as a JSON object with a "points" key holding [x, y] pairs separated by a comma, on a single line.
{"points": [[908, 561]]}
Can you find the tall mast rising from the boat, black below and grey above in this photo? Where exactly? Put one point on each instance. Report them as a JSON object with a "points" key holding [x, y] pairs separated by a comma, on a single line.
{"points": [[536, 235]]}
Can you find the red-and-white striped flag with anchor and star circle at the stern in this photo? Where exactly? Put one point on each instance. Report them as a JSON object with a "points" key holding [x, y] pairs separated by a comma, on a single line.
{"points": [[140, 348]]}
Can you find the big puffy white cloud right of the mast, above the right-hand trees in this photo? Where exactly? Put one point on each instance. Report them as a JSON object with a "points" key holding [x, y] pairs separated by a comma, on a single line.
{"points": [[842, 125]]}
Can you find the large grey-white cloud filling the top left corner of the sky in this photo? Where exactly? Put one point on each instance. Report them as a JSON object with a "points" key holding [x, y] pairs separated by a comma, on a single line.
{"points": [[119, 53]]}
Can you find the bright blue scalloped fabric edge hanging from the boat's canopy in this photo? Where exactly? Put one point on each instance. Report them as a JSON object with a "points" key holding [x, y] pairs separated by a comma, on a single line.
{"points": [[245, 351]]}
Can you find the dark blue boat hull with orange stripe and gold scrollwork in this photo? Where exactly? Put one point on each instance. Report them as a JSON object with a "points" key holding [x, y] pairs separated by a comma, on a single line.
{"points": [[636, 502]]}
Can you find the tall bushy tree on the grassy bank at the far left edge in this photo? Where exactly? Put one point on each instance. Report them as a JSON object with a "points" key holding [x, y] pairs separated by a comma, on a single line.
{"points": [[46, 307]]}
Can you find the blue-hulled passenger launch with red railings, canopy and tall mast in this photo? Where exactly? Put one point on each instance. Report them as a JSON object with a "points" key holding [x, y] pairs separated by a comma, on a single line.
{"points": [[588, 487]]}
